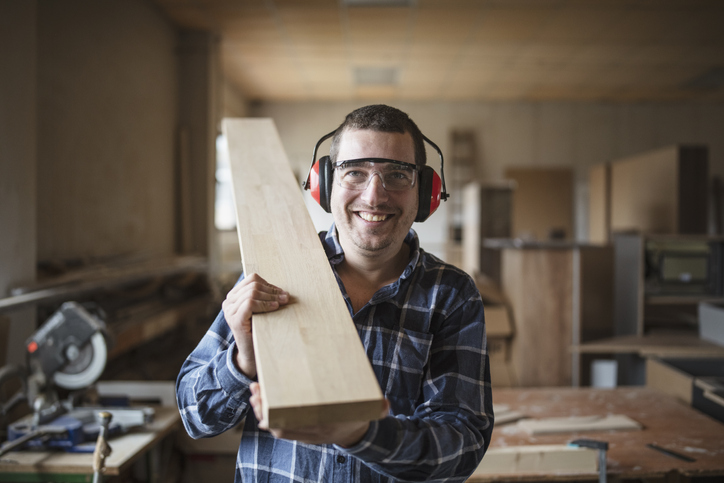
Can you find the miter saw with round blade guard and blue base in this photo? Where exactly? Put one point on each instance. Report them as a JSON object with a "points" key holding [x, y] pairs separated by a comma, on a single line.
{"points": [[69, 352]]}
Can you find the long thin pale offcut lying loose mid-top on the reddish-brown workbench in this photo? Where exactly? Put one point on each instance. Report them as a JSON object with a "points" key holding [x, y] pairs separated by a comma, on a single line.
{"points": [[578, 423]]}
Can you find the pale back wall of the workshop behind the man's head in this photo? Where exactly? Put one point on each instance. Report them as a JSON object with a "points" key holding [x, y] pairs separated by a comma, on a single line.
{"points": [[573, 134]]}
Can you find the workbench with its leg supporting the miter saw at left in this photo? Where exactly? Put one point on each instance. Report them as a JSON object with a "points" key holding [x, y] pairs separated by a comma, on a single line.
{"points": [[59, 466]]}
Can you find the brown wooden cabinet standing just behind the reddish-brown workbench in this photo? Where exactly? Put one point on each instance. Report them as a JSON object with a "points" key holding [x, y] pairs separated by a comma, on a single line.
{"points": [[561, 296]]}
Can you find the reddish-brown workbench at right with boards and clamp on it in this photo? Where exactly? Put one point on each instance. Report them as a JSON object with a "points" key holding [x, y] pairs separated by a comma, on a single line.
{"points": [[667, 423]]}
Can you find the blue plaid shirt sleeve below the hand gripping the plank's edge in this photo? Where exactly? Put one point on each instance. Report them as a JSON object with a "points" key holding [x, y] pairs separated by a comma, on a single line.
{"points": [[211, 393]]}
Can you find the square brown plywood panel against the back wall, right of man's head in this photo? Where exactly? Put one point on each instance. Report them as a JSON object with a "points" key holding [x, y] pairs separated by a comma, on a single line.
{"points": [[542, 201]]}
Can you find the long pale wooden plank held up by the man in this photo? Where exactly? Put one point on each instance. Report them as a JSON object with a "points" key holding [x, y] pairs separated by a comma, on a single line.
{"points": [[311, 364]]}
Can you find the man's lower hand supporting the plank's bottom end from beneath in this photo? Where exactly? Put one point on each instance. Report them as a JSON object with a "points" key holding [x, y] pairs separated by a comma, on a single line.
{"points": [[342, 434]]}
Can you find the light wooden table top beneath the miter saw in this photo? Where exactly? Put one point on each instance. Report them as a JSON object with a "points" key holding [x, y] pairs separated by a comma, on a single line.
{"points": [[126, 449]]}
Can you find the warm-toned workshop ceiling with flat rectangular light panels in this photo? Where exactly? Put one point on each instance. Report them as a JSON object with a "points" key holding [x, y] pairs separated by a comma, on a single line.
{"points": [[617, 50]]}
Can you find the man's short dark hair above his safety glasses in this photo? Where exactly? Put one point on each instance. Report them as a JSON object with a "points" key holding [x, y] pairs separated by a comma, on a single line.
{"points": [[381, 118]]}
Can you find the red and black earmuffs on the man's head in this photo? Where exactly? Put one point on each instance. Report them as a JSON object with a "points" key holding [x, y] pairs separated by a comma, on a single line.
{"points": [[431, 188]]}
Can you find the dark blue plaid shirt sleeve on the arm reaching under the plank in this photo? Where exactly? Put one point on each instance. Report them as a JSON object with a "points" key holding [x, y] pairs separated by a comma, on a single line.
{"points": [[449, 432]]}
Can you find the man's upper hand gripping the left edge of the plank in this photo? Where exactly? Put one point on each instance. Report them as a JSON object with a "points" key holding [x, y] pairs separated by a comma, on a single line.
{"points": [[252, 295]]}
